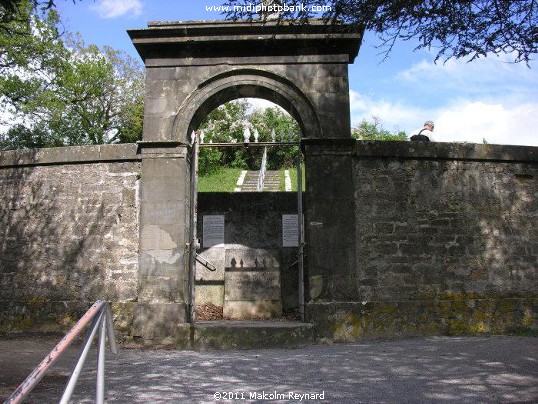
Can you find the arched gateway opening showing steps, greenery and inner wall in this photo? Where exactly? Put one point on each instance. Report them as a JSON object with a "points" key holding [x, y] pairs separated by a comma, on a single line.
{"points": [[249, 260]]}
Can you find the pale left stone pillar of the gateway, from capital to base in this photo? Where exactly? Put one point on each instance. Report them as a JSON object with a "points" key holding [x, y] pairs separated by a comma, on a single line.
{"points": [[163, 256]]}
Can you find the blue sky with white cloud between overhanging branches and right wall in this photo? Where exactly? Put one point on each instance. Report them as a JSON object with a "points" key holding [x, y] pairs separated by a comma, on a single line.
{"points": [[469, 102]]}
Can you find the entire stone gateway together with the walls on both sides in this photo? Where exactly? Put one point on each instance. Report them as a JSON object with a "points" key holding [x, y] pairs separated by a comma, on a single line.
{"points": [[402, 237]]}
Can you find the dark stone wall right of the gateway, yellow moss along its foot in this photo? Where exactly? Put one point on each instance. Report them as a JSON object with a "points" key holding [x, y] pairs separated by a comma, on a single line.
{"points": [[446, 240]]}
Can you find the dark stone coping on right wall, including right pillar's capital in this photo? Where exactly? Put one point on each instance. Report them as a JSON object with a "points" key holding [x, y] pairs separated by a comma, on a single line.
{"points": [[423, 150]]}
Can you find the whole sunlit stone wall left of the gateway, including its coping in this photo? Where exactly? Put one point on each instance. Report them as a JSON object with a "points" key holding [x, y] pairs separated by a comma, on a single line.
{"points": [[69, 235]]}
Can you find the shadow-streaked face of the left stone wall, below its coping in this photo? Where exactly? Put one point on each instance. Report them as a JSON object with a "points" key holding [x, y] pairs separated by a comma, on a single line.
{"points": [[58, 242]]}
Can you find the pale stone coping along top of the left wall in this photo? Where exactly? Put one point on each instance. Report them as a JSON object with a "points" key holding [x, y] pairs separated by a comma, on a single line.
{"points": [[70, 155]]}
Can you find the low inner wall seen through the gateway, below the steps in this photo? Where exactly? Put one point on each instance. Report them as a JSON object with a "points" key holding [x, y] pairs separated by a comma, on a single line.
{"points": [[252, 250]]}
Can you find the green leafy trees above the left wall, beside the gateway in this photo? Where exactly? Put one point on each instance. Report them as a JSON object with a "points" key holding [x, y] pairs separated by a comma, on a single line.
{"points": [[60, 91]]}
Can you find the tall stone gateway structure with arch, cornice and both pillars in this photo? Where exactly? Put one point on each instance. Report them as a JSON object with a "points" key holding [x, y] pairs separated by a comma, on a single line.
{"points": [[192, 68]]}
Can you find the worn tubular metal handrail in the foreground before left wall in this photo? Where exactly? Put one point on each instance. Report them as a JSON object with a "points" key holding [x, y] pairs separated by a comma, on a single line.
{"points": [[100, 317]]}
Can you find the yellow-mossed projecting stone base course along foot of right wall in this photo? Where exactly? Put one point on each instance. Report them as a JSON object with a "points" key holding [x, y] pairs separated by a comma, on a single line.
{"points": [[454, 315]]}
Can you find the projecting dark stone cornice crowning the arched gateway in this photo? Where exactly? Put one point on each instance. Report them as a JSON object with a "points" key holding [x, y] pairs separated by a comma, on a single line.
{"points": [[184, 40]]}
